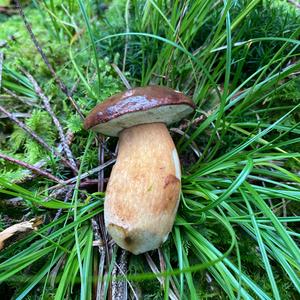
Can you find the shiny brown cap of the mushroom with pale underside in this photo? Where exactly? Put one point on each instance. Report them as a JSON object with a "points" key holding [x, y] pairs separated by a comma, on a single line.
{"points": [[141, 105]]}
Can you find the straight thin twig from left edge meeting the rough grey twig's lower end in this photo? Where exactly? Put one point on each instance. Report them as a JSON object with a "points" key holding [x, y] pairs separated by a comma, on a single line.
{"points": [[36, 137]]}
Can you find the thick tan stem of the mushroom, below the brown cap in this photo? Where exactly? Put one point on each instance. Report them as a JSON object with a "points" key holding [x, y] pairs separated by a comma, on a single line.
{"points": [[143, 190]]}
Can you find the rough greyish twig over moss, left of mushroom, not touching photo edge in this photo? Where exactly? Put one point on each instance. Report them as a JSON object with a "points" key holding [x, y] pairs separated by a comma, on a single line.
{"points": [[47, 106]]}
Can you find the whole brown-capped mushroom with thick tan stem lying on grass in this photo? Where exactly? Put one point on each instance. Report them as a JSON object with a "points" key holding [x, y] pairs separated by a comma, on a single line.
{"points": [[143, 191]]}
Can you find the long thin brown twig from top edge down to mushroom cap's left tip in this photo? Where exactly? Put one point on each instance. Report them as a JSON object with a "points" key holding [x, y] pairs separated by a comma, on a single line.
{"points": [[61, 85]]}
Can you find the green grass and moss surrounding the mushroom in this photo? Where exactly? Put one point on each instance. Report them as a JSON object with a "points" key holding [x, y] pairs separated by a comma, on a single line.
{"points": [[236, 232]]}
